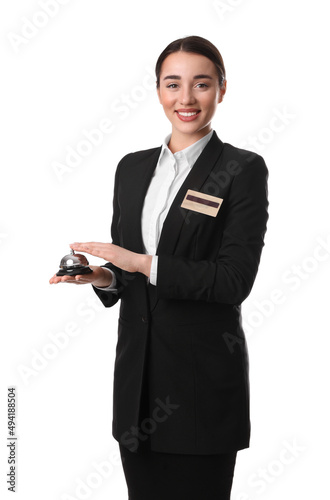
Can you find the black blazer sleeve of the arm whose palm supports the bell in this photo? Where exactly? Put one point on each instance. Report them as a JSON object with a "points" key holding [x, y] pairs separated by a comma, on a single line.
{"points": [[110, 298]]}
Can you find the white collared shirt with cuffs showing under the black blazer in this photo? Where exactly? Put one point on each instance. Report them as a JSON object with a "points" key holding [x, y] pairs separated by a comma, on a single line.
{"points": [[169, 175]]}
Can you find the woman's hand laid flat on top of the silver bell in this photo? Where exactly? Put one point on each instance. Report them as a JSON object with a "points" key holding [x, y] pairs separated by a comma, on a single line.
{"points": [[120, 257]]}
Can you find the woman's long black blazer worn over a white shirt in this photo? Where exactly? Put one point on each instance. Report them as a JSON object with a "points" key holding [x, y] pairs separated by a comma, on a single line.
{"points": [[181, 379]]}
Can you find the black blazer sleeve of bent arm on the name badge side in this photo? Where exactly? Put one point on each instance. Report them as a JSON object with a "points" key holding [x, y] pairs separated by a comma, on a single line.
{"points": [[230, 277]]}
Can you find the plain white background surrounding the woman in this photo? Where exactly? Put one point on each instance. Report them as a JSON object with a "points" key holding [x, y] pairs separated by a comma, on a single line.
{"points": [[78, 69]]}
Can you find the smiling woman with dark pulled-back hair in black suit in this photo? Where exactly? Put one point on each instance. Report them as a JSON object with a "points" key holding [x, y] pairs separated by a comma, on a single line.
{"points": [[188, 227]]}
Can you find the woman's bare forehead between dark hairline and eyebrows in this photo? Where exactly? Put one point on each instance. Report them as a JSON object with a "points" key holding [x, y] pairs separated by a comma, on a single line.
{"points": [[180, 63]]}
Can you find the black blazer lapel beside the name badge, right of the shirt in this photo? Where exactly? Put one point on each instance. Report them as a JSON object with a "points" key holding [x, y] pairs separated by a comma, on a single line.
{"points": [[194, 180]]}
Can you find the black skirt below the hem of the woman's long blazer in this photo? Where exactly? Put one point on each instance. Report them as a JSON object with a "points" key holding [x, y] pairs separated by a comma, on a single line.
{"points": [[152, 475]]}
